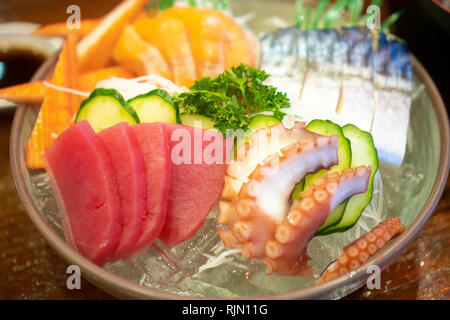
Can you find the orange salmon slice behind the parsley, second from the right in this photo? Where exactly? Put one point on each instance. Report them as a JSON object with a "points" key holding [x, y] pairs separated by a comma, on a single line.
{"points": [[207, 35]]}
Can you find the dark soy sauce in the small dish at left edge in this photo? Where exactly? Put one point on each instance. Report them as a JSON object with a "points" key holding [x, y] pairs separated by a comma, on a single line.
{"points": [[18, 66]]}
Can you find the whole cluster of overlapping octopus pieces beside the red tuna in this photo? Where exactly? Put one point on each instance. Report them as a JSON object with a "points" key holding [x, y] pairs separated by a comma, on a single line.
{"points": [[256, 211]]}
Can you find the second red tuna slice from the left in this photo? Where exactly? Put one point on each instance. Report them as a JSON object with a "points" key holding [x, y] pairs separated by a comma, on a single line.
{"points": [[128, 164]]}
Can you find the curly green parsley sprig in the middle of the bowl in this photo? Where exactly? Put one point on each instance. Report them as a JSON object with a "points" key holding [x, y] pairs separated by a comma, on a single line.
{"points": [[232, 98]]}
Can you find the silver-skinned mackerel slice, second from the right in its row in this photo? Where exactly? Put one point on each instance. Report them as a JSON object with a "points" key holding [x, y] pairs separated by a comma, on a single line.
{"points": [[357, 103]]}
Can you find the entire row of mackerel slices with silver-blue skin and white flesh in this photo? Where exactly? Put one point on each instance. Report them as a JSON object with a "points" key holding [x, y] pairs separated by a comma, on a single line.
{"points": [[370, 87]]}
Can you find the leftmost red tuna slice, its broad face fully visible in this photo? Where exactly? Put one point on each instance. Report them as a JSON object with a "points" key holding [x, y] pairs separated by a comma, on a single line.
{"points": [[85, 187]]}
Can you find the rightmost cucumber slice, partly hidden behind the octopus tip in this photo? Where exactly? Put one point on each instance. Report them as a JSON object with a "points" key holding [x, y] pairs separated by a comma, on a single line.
{"points": [[363, 153]]}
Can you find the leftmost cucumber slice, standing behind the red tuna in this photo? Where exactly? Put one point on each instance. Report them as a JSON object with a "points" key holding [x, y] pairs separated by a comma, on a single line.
{"points": [[105, 108]]}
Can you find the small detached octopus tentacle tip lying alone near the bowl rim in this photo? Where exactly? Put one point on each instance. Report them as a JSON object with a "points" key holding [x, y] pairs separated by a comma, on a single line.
{"points": [[359, 251]]}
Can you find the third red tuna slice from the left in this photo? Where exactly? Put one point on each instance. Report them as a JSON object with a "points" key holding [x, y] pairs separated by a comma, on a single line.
{"points": [[154, 144]]}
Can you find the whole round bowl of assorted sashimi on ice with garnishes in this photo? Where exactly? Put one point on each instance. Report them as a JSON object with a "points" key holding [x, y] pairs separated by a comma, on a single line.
{"points": [[225, 150]]}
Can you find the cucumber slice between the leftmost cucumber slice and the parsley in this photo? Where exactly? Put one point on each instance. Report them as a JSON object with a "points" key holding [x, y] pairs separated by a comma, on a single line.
{"points": [[155, 106]]}
